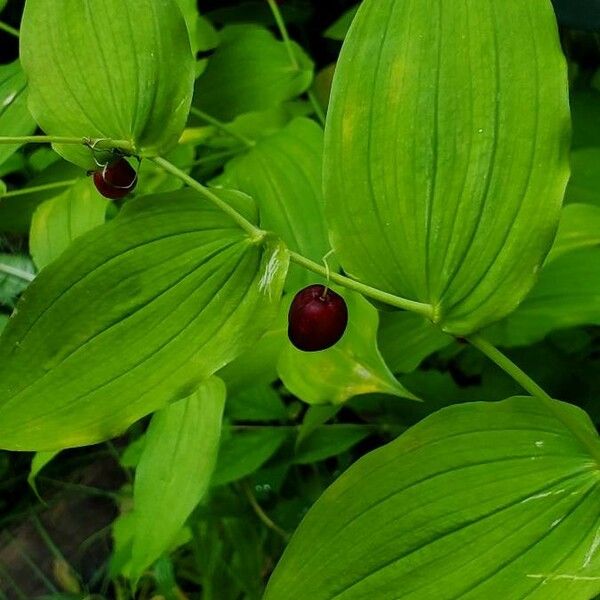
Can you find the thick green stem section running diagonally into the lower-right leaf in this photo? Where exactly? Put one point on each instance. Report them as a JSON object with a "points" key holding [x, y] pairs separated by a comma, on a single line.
{"points": [[529, 385]]}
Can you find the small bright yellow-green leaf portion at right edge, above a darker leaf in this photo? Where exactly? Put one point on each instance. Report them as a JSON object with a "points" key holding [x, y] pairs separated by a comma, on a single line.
{"points": [[579, 228]]}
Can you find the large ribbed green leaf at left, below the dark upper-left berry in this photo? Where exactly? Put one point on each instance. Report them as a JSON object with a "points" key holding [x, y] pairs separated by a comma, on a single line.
{"points": [[133, 315]]}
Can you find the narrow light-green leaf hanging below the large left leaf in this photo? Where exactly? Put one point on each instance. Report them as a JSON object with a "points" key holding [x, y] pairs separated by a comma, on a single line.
{"points": [[175, 469]]}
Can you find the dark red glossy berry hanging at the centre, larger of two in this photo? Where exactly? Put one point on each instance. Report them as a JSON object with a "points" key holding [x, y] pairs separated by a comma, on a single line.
{"points": [[317, 318]]}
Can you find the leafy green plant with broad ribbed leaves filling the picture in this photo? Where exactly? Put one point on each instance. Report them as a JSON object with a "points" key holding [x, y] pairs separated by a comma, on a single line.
{"points": [[444, 162]]}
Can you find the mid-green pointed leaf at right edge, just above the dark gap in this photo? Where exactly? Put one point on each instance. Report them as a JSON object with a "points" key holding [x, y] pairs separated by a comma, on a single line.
{"points": [[567, 294]]}
